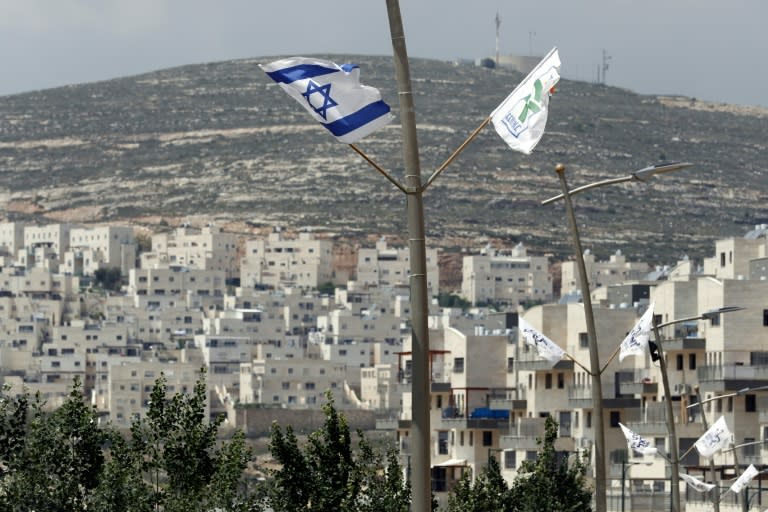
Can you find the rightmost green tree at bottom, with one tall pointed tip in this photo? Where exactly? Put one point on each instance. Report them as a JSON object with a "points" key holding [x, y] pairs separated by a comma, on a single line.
{"points": [[551, 483]]}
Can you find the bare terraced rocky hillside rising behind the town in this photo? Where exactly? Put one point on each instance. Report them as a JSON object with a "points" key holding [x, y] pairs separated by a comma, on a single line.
{"points": [[219, 142]]}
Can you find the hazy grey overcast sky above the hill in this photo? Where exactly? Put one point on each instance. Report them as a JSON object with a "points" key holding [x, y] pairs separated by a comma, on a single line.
{"points": [[709, 49]]}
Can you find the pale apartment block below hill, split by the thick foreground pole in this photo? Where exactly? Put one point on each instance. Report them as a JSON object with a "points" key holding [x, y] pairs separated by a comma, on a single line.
{"points": [[388, 266]]}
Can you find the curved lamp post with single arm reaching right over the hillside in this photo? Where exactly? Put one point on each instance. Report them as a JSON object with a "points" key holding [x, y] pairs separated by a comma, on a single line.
{"points": [[594, 359]]}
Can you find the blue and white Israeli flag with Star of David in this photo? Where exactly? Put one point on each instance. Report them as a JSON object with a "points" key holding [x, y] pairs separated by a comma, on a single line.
{"points": [[333, 95]]}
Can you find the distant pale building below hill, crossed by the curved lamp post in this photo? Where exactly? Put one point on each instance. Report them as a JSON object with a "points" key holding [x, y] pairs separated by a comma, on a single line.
{"points": [[601, 273]]}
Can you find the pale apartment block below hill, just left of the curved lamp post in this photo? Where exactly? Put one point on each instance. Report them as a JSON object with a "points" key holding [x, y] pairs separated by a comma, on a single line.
{"points": [[508, 277]]}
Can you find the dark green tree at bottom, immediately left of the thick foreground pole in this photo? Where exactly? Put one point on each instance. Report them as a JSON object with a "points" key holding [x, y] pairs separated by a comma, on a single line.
{"points": [[328, 474]]}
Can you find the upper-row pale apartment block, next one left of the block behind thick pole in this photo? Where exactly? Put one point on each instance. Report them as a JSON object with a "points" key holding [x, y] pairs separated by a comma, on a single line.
{"points": [[278, 261]]}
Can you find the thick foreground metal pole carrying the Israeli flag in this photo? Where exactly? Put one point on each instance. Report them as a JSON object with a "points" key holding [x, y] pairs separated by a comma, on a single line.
{"points": [[421, 481]]}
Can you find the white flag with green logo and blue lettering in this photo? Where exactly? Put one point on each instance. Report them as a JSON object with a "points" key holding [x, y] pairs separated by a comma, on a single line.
{"points": [[521, 118]]}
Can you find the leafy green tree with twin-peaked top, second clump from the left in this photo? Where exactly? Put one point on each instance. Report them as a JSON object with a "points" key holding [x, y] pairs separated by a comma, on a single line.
{"points": [[172, 460]]}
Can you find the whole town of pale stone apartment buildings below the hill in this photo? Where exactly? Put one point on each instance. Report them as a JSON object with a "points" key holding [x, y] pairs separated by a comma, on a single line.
{"points": [[249, 312]]}
